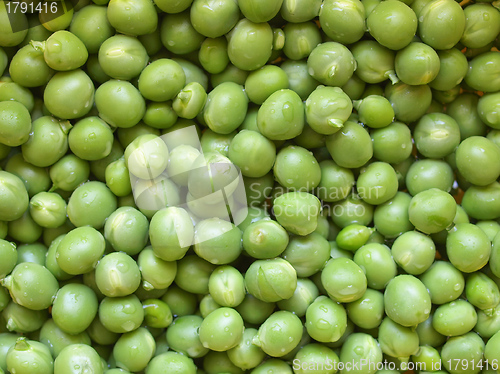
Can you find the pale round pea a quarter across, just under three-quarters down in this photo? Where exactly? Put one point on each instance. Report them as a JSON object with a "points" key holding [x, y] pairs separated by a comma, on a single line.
{"points": [[117, 274]]}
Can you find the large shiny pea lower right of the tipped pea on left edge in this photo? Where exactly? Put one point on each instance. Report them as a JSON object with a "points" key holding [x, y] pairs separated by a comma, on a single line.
{"points": [[74, 309]]}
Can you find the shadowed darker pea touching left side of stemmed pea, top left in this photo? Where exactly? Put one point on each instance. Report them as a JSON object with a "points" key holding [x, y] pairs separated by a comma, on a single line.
{"points": [[28, 67]]}
